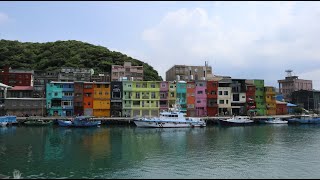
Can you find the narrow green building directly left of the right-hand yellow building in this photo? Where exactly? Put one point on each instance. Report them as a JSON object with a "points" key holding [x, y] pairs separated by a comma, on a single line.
{"points": [[260, 97]]}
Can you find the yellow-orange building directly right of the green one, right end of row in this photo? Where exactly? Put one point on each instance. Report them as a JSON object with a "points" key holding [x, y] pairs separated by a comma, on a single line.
{"points": [[271, 104]]}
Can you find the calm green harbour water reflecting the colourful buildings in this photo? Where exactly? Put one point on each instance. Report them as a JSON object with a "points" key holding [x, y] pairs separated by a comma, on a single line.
{"points": [[261, 151]]}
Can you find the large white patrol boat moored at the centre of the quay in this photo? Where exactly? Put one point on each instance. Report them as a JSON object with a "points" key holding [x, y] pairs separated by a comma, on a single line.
{"points": [[173, 118]]}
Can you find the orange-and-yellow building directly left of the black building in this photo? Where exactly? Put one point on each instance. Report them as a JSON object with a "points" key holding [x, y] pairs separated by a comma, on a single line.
{"points": [[101, 99]]}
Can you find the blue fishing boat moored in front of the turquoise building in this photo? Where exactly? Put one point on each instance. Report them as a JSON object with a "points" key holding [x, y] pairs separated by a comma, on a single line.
{"points": [[80, 121]]}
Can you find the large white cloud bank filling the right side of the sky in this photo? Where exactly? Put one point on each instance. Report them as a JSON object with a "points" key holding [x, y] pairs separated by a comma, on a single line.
{"points": [[263, 37]]}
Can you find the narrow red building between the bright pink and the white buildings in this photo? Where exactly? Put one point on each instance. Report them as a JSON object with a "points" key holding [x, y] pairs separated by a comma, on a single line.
{"points": [[212, 97]]}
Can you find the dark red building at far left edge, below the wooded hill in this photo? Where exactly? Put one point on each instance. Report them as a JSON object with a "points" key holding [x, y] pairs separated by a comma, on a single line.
{"points": [[12, 77]]}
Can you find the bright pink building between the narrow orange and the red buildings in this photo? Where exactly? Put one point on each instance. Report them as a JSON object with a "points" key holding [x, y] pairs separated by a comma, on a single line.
{"points": [[201, 98]]}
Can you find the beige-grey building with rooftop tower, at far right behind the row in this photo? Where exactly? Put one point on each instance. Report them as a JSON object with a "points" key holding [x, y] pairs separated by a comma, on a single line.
{"points": [[291, 84]]}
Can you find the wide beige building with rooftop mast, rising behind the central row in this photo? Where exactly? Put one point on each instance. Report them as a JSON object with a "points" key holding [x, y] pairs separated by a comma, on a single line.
{"points": [[189, 73]]}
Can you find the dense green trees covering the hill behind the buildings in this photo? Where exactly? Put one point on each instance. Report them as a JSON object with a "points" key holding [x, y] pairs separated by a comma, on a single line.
{"points": [[53, 55]]}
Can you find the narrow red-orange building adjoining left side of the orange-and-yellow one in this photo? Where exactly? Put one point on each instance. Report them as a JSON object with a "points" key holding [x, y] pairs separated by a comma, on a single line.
{"points": [[88, 98]]}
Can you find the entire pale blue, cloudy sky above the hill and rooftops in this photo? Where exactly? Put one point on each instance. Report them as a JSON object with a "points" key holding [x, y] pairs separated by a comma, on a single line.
{"points": [[246, 39]]}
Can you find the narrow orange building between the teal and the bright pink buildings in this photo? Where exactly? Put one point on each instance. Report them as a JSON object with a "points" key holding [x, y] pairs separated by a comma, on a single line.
{"points": [[191, 99]]}
